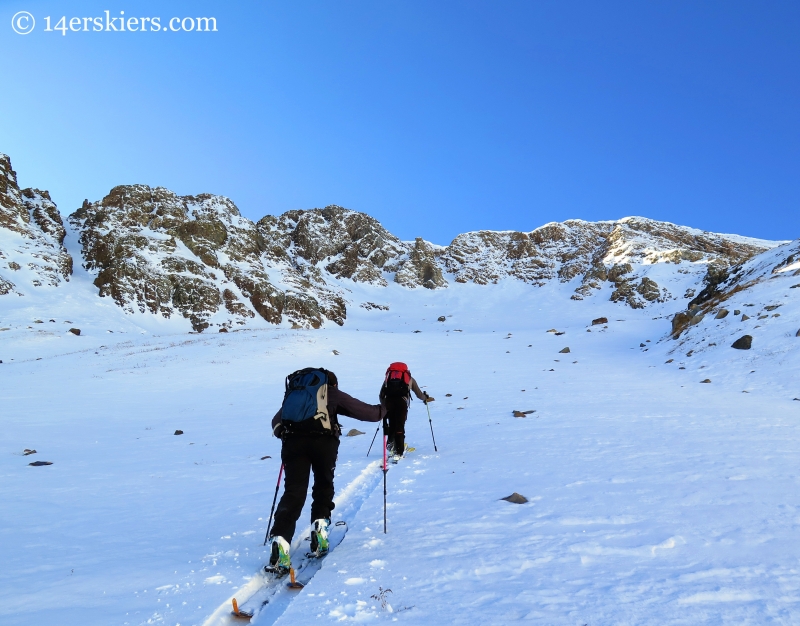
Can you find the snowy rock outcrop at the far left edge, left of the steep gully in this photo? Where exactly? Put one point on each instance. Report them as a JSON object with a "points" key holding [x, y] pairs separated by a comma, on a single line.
{"points": [[32, 252]]}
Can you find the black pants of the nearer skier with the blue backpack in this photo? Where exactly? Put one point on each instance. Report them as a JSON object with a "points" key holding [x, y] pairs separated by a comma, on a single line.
{"points": [[300, 455]]}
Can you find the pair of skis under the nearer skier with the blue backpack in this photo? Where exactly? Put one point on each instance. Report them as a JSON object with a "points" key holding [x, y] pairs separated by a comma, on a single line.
{"points": [[274, 590]]}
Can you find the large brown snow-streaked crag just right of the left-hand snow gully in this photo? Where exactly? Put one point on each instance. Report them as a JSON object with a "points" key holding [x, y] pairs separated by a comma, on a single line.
{"points": [[195, 256]]}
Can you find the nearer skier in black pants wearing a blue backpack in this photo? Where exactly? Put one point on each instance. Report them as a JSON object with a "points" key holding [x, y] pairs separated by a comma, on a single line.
{"points": [[308, 426]]}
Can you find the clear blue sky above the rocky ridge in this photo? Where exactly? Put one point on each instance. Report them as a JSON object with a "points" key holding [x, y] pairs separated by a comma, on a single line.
{"points": [[435, 117]]}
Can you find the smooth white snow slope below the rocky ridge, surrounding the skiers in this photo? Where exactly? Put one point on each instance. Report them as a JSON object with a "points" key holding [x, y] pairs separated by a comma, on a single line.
{"points": [[653, 499]]}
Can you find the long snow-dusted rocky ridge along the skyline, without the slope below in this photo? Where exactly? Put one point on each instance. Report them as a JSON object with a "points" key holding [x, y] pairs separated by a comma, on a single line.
{"points": [[196, 258]]}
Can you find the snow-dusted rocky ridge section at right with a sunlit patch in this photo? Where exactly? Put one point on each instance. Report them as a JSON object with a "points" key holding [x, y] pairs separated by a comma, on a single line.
{"points": [[617, 254]]}
